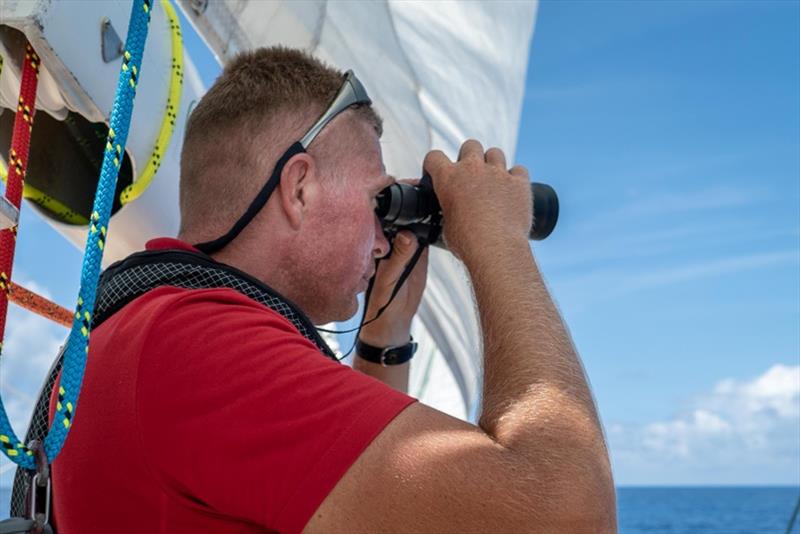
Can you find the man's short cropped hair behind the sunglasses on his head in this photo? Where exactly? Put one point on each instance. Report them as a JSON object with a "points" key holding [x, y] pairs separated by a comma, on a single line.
{"points": [[245, 121]]}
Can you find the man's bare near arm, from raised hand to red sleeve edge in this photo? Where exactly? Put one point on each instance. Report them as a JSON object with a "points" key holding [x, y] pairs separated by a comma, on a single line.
{"points": [[537, 462]]}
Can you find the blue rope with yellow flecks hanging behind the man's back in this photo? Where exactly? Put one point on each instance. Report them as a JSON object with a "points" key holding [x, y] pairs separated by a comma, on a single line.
{"points": [[78, 341]]}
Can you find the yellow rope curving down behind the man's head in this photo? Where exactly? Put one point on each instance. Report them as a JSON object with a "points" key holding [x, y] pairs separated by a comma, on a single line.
{"points": [[135, 190]]}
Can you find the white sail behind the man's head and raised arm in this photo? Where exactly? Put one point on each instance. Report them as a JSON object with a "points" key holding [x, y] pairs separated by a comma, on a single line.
{"points": [[439, 73]]}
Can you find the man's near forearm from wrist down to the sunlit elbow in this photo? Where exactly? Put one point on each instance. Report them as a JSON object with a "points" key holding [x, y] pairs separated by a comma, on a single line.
{"points": [[526, 345]]}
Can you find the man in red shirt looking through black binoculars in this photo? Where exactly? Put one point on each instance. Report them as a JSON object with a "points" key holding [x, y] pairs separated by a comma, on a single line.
{"points": [[209, 402]]}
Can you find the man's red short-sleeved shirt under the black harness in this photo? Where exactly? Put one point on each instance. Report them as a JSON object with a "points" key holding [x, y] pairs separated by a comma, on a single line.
{"points": [[205, 411]]}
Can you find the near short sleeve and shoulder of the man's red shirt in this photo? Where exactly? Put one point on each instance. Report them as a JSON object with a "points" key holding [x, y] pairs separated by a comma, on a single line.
{"points": [[243, 415]]}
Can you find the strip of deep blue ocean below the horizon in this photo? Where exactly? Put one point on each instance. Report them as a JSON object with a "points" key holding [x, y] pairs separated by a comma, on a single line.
{"points": [[685, 510]]}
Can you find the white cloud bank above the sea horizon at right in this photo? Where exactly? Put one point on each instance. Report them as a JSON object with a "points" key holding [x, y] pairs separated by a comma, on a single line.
{"points": [[740, 432]]}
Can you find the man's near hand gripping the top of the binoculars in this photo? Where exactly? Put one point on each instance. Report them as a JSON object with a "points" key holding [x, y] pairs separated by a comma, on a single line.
{"points": [[481, 201]]}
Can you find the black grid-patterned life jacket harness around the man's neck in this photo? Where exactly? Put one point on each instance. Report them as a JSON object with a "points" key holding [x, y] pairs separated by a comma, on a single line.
{"points": [[139, 273]]}
